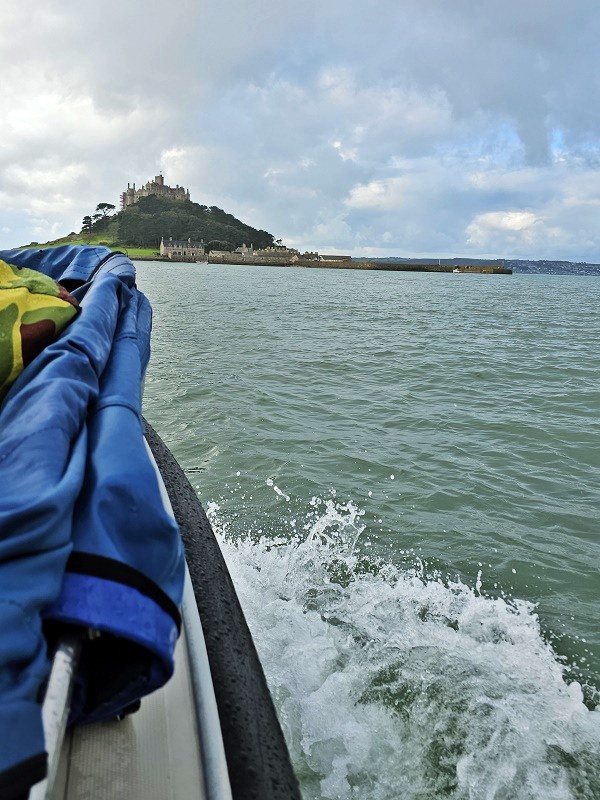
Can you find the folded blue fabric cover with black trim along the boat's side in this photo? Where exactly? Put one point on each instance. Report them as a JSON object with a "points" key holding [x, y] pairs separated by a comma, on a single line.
{"points": [[85, 538]]}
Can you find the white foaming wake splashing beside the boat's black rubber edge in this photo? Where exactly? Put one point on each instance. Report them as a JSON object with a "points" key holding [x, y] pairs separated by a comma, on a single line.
{"points": [[393, 682]]}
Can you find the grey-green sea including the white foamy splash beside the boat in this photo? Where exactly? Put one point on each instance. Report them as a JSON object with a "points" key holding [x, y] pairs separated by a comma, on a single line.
{"points": [[403, 472]]}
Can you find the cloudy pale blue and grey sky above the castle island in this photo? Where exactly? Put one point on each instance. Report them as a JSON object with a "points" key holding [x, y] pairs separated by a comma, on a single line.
{"points": [[365, 127]]}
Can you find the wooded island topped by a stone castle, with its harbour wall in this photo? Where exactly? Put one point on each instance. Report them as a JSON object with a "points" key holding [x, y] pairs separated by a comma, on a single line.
{"points": [[158, 222]]}
